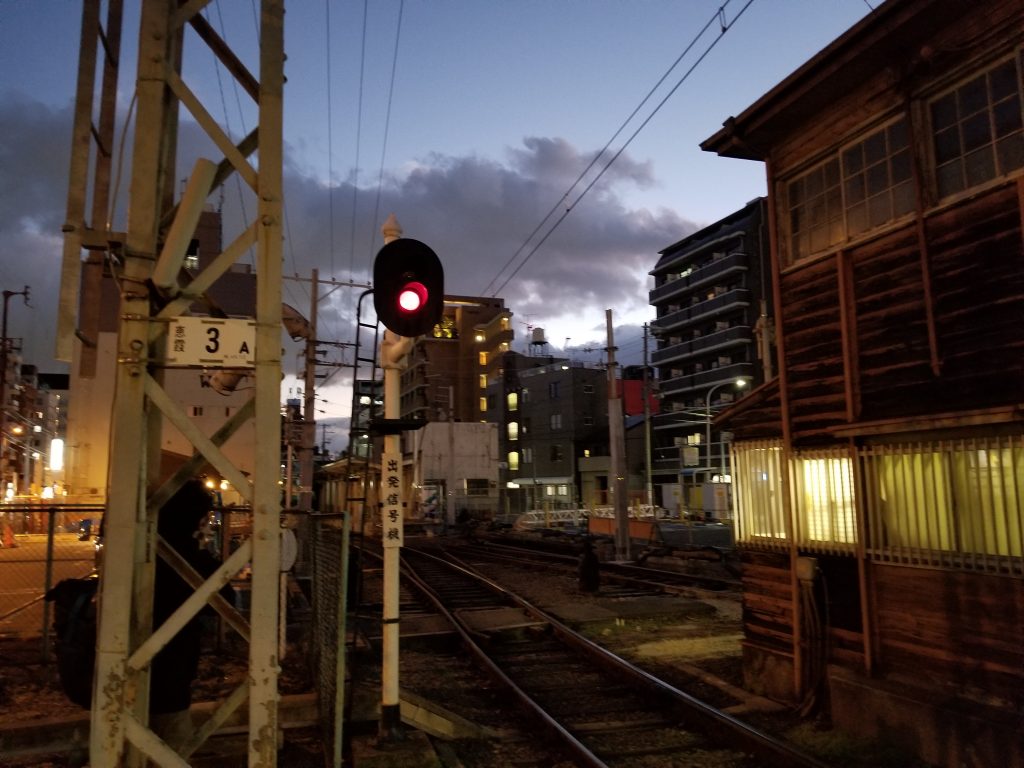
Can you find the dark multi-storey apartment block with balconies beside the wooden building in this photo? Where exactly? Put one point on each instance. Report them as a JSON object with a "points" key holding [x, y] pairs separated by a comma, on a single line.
{"points": [[712, 303]]}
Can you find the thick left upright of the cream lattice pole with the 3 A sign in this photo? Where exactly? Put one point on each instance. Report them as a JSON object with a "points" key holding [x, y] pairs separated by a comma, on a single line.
{"points": [[121, 692]]}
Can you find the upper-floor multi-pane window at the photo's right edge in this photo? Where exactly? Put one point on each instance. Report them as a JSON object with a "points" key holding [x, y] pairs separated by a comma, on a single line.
{"points": [[977, 131]]}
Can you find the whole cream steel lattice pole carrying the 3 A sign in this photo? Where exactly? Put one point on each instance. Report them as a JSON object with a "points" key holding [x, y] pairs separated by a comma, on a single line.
{"points": [[151, 297]]}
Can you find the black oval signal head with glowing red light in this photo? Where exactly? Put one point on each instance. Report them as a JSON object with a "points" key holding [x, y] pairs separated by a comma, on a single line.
{"points": [[409, 287]]}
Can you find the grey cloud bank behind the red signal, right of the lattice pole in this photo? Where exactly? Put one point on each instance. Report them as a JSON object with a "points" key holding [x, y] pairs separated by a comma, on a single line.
{"points": [[478, 214]]}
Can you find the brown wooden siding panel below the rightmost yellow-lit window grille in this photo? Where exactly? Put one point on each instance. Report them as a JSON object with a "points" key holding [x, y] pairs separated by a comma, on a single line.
{"points": [[963, 629]]}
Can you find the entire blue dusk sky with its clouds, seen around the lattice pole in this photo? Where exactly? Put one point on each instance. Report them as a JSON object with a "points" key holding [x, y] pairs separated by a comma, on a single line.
{"points": [[497, 108]]}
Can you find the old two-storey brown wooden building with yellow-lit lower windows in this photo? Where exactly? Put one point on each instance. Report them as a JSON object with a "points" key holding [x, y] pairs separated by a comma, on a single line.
{"points": [[880, 477]]}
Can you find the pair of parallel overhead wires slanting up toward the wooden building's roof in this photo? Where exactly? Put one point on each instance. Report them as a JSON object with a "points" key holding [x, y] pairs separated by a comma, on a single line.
{"points": [[724, 27]]}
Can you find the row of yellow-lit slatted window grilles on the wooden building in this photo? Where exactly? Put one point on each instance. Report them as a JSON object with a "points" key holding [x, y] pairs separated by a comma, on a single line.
{"points": [[956, 504]]}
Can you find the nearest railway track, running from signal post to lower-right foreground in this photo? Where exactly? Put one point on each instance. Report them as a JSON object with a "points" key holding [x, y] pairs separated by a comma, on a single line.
{"points": [[599, 710]]}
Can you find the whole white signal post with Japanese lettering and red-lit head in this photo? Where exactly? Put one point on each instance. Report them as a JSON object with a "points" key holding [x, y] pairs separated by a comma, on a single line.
{"points": [[409, 298]]}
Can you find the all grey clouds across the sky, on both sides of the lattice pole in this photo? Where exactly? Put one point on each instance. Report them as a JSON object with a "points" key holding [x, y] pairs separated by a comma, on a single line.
{"points": [[478, 214]]}
